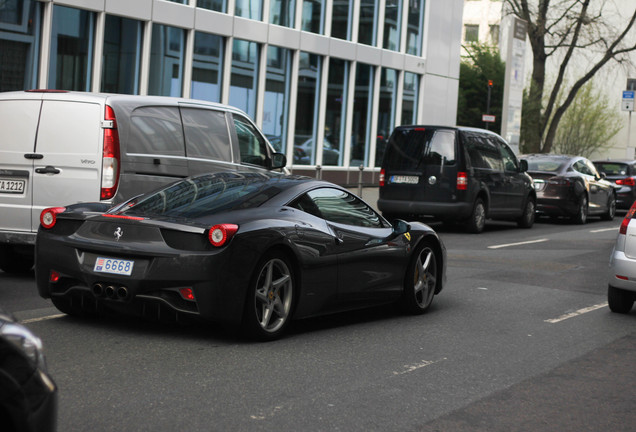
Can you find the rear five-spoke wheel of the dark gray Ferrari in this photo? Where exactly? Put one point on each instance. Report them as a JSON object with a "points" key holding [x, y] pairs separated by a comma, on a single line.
{"points": [[270, 297]]}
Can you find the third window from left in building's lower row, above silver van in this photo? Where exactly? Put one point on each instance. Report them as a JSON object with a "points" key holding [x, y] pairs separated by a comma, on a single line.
{"points": [[122, 55]]}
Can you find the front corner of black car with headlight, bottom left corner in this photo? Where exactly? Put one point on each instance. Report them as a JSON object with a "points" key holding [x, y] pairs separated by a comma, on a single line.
{"points": [[28, 394]]}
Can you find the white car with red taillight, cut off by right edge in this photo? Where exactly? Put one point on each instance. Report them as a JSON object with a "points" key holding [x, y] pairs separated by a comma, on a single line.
{"points": [[621, 290]]}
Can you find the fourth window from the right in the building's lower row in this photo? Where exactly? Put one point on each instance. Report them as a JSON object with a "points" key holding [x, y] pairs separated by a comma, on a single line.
{"points": [[336, 112]]}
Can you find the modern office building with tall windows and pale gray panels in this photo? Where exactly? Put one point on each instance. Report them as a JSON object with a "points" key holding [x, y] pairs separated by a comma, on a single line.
{"points": [[326, 81]]}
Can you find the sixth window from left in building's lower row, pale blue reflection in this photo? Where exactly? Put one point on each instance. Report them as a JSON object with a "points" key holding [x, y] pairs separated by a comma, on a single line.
{"points": [[244, 77]]}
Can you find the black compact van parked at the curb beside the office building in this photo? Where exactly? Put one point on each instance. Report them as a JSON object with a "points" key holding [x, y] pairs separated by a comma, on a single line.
{"points": [[454, 174]]}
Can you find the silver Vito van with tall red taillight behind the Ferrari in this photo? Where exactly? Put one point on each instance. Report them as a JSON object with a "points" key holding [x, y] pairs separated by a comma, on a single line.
{"points": [[59, 148]]}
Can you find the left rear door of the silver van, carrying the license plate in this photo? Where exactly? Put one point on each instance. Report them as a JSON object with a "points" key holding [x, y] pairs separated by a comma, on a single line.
{"points": [[17, 142]]}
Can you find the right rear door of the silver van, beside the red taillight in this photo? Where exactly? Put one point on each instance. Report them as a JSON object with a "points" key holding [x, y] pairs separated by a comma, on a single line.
{"points": [[68, 147]]}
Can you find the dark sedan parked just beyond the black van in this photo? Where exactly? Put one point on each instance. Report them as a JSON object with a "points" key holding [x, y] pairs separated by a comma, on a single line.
{"points": [[570, 186]]}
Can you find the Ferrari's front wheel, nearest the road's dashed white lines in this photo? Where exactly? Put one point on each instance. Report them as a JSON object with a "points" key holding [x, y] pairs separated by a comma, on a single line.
{"points": [[421, 279]]}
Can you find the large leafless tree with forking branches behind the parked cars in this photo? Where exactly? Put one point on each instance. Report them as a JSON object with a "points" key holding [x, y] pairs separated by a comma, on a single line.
{"points": [[560, 31]]}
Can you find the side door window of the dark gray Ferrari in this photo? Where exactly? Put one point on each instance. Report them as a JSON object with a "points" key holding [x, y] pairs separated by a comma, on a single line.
{"points": [[338, 206]]}
